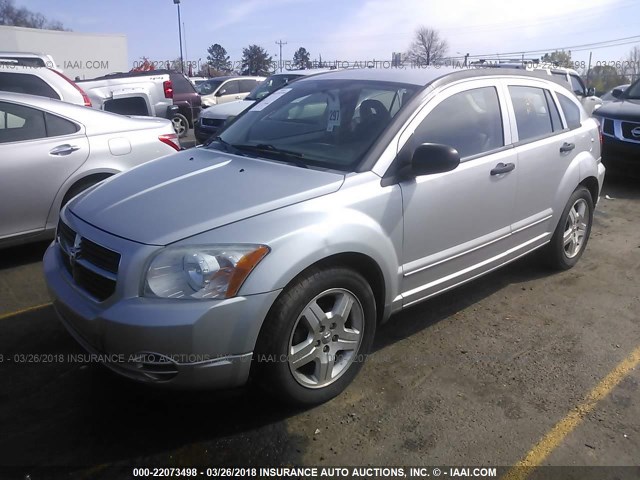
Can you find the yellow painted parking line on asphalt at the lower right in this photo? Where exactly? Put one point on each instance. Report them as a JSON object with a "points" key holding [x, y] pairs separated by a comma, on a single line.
{"points": [[551, 440]]}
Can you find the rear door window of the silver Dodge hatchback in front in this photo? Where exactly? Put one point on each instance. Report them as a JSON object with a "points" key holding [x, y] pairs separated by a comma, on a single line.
{"points": [[532, 112]]}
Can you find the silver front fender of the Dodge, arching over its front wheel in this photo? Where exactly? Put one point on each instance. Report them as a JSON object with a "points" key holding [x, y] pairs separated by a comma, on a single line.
{"points": [[364, 218]]}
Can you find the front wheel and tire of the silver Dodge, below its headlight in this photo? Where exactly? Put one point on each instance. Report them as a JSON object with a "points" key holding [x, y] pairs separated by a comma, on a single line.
{"points": [[316, 336]]}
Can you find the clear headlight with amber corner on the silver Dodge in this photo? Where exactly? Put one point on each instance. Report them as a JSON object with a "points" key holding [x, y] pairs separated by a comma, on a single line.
{"points": [[202, 272]]}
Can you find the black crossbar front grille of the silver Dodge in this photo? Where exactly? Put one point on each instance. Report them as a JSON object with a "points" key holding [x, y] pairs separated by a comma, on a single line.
{"points": [[90, 264]]}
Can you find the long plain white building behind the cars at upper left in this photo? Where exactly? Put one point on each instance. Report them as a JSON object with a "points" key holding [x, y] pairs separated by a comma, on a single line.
{"points": [[84, 55]]}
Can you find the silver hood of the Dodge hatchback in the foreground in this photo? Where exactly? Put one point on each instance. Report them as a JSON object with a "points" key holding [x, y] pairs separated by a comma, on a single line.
{"points": [[181, 195]]}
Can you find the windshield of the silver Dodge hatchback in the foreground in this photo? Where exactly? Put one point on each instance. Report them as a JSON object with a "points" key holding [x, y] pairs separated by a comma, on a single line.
{"points": [[321, 123]]}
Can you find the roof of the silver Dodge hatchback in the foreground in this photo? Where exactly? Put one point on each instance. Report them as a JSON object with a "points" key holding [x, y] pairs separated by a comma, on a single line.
{"points": [[423, 76]]}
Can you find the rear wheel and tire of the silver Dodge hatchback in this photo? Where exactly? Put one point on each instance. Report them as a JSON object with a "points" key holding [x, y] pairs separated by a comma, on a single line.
{"points": [[572, 233]]}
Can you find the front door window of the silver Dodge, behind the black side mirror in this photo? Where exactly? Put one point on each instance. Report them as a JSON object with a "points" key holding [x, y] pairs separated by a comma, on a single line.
{"points": [[468, 121]]}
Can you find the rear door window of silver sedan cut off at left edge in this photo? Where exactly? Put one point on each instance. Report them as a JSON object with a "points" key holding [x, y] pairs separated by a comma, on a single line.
{"points": [[19, 123]]}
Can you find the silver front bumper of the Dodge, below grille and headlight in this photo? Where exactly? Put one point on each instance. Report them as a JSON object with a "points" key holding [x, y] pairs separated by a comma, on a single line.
{"points": [[178, 343]]}
